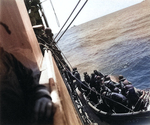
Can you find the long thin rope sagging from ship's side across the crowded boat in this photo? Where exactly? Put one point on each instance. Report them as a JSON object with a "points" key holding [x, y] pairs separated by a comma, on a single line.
{"points": [[93, 90]]}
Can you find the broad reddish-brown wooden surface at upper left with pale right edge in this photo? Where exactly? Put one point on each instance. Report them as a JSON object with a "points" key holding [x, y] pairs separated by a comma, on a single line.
{"points": [[17, 35]]}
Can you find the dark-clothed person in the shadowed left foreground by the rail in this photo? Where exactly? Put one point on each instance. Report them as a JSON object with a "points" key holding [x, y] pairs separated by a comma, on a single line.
{"points": [[20, 92]]}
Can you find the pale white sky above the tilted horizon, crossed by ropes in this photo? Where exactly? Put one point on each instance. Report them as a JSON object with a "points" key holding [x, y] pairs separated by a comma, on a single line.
{"points": [[93, 9]]}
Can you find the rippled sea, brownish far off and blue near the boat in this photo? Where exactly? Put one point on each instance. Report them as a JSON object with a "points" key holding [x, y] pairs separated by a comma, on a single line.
{"points": [[118, 43]]}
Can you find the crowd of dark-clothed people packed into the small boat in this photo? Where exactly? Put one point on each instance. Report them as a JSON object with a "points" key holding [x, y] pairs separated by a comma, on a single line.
{"points": [[118, 96]]}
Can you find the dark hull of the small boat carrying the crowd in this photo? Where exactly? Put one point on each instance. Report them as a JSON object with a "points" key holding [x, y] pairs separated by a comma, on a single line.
{"points": [[106, 113]]}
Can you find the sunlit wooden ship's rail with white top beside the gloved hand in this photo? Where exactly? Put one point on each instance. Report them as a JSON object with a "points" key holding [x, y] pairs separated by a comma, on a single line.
{"points": [[65, 112]]}
